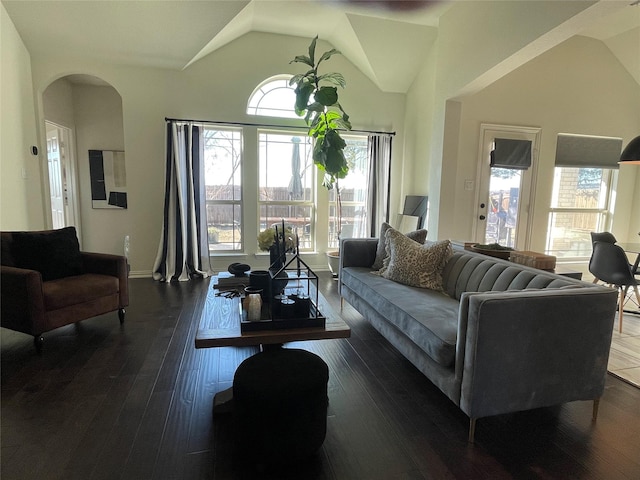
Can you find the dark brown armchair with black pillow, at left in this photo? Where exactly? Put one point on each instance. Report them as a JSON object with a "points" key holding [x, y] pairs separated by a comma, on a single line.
{"points": [[47, 282]]}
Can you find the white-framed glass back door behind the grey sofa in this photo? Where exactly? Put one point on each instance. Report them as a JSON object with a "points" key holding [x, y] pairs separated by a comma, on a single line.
{"points": [[505, 195]]}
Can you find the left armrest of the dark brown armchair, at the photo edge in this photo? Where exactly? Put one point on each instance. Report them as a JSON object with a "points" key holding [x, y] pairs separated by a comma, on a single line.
{"points": [[22, 300]]}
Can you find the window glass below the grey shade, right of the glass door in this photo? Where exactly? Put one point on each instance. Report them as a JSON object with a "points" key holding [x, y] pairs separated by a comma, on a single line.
{"points": [[579, 205]]}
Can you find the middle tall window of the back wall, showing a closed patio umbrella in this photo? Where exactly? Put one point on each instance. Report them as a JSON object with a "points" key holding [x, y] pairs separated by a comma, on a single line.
{"points": [[286, 186]]}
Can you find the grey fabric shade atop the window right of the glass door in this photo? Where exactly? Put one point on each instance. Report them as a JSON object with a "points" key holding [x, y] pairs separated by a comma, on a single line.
{"points": [[587, 151]]}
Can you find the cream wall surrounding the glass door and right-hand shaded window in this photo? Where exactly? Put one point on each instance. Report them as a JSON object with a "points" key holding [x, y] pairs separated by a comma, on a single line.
{"points": [[576, 87]]}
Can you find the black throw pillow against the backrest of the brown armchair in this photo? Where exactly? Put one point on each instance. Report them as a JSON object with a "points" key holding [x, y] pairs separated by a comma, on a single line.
{"points": [[55, 254]]}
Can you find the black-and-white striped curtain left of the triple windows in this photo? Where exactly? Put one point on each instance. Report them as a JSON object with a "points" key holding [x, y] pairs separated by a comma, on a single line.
{"points": [[183, 251]]}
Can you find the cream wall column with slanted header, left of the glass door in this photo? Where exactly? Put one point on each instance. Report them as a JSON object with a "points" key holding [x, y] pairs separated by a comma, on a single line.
{"points": [[478, 43]]}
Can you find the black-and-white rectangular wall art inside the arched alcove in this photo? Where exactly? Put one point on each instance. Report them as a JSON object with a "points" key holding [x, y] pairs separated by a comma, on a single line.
{"points": [[108, 179]]}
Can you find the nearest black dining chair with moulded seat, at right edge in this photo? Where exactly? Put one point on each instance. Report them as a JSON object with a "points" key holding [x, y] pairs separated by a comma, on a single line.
{"points": [[609, 263]]}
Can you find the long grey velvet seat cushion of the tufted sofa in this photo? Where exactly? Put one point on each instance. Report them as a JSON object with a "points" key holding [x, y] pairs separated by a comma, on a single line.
{"points": [[427, 317]]}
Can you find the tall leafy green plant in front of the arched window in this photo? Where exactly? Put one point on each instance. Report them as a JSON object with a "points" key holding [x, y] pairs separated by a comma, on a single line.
{"points": [[317, 101]]}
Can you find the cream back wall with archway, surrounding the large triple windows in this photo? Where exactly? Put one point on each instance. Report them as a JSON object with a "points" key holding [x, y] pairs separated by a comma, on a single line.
{"points": [[215, 88]]}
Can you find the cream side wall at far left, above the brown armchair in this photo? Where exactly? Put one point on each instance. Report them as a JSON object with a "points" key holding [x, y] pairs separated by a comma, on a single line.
{"points": [[19, 169]]}
